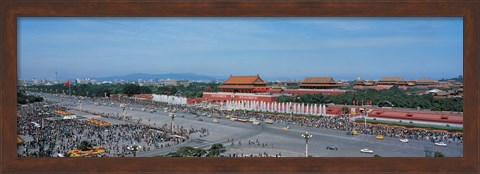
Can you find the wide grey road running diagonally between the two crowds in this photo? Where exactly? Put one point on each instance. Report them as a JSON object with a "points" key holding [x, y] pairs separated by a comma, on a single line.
{"points": [[272, 138]]}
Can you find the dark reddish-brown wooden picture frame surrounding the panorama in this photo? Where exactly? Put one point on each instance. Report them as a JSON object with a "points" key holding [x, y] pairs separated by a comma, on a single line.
{"points": [[10, 10]]}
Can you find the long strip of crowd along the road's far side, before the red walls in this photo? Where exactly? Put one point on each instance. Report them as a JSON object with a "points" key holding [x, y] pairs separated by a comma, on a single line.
{"points": [[340, 122]]}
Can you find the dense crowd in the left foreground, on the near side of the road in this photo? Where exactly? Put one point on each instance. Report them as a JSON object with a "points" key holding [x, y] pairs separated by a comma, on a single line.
{"points": [[48, 138]]}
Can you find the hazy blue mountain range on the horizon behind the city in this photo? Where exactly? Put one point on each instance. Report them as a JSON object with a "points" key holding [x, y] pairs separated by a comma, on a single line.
{"points": [[144, 76]]}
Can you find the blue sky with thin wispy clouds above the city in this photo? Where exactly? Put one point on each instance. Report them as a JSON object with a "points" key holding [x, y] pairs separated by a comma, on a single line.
{"points": [[275, 48]]}
